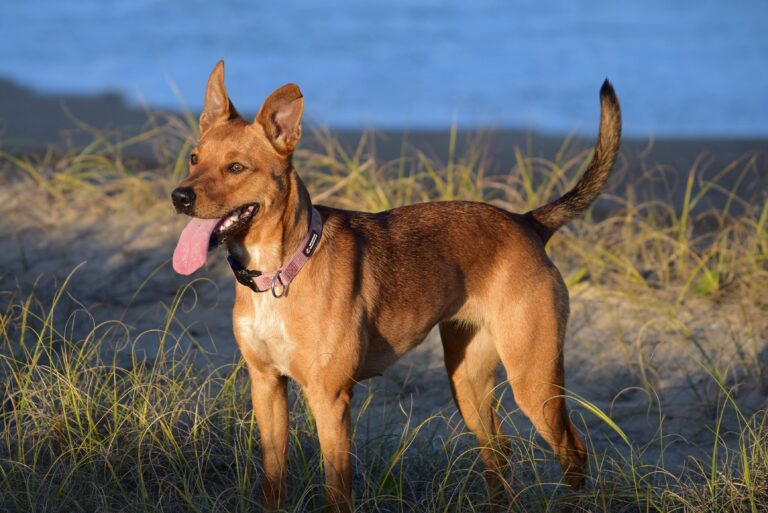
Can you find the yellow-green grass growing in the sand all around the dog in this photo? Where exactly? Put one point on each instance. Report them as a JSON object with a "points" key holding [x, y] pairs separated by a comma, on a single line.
{"points": [[91, 421]]}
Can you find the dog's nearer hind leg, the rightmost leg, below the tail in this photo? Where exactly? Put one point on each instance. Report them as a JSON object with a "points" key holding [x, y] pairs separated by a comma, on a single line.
{"points": [[529, 338]]}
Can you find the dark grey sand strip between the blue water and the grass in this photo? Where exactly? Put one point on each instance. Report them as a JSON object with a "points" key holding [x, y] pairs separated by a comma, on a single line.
{"points": [[31, 122]]}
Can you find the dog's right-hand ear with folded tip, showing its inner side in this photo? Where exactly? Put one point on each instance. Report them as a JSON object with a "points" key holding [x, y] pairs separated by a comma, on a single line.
{"points": [[280, 116]]}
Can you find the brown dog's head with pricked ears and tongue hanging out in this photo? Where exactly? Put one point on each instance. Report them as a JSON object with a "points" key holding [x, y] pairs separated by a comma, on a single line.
{"points": [[237, 171]]}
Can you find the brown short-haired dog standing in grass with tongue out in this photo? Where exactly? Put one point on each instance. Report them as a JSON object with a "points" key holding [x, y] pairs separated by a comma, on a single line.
{"points": [[372, 286]]}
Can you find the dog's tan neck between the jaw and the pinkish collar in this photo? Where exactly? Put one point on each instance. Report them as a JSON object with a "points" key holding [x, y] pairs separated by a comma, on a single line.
{"points": [[277, 230]]}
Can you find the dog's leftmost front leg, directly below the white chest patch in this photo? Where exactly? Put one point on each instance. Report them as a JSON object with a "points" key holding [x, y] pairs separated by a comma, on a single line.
{"points": [[270, 406]]}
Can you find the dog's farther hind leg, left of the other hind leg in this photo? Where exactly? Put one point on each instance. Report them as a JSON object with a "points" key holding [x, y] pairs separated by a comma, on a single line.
{"points": [[472, 361]]}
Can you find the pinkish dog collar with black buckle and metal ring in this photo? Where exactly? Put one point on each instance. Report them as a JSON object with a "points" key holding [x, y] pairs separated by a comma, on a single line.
{"points": [[277, 281]]}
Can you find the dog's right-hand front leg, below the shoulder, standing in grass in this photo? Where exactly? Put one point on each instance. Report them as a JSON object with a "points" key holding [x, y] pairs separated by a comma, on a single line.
{"points": [[330, 407]]}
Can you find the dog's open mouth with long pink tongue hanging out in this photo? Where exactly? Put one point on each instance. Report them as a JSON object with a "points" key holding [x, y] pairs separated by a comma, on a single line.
{"points": [[202, 235]]}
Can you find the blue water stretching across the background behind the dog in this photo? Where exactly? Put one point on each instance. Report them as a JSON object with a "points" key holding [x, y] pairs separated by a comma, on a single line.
{"points": [[682, 68]]}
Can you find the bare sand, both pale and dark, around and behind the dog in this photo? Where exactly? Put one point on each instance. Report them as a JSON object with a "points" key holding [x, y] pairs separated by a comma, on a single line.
{"points": [[614, 345]]}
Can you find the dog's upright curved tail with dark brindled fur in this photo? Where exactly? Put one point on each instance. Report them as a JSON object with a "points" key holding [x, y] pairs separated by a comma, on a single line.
{"points": [[553, 215]]}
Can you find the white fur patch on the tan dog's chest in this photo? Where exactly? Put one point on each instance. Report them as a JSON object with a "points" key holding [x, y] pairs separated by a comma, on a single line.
{"points": [[264, 332]]}
